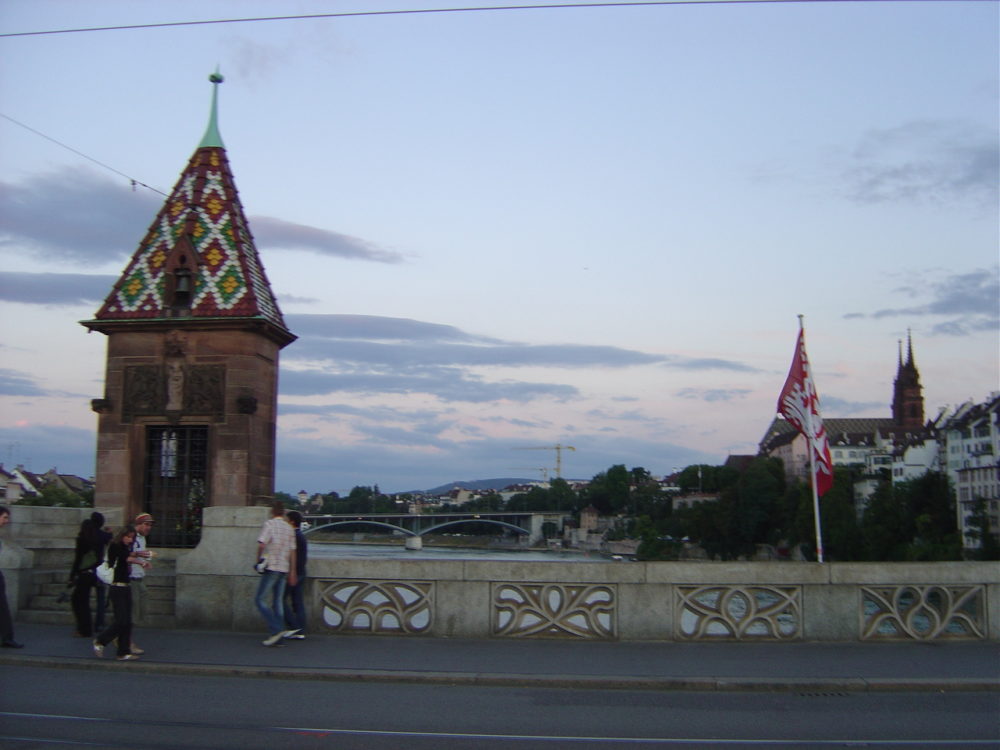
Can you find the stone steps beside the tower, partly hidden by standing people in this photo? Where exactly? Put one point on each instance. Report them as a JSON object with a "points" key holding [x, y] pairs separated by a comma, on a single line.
{"points": [[49, 585]]}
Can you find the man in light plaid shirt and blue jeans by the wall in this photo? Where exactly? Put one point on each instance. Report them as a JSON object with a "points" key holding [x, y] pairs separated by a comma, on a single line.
{"points": [[276, 558]]}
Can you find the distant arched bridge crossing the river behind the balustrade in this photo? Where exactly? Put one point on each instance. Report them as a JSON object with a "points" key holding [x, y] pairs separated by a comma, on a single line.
{"points": [[528, 523]]}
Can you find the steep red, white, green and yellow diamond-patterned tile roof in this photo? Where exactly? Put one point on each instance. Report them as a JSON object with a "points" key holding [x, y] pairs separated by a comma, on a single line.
{"points": [[201, 226]]}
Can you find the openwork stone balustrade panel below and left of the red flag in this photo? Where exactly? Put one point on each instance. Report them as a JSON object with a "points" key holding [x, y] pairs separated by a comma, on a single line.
{"points": [[739, 612]]}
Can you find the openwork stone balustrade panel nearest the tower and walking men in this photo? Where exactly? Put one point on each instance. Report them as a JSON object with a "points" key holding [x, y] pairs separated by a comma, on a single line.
{"points": [[386, 607]]}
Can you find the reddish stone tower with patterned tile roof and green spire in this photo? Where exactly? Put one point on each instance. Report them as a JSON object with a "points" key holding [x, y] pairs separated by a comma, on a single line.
{"points": [[194, 333]]}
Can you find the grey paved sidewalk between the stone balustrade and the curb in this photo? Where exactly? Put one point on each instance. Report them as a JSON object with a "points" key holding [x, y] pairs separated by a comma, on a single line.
{"points": [[808, 667]]}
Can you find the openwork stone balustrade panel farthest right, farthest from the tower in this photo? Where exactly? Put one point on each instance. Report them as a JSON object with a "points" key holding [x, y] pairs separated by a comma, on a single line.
{"points": [[923, 612]]}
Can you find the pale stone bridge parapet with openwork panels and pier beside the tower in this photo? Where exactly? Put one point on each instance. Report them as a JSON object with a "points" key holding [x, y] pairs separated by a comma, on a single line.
{"points": [[607, 601]]}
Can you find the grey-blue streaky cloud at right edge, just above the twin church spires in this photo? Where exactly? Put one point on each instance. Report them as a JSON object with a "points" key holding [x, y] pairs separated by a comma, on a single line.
{"points": [[968, 299]]}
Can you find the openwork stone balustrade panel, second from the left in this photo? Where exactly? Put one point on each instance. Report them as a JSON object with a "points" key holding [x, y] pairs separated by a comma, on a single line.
{"points": [[555, 610]]}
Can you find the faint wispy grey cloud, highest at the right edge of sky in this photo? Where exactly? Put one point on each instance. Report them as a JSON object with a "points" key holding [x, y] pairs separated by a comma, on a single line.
{"points": [[926, 161]]}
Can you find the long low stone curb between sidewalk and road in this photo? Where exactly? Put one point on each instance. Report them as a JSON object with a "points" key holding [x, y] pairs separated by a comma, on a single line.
{"points": [[481, 679]]}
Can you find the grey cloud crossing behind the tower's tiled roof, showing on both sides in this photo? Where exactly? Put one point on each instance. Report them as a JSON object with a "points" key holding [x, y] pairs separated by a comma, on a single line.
{"points": [[103, 220]]}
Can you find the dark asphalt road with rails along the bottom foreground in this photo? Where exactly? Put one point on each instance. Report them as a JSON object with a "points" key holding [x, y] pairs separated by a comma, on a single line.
{"points": [[52, 708]]}
